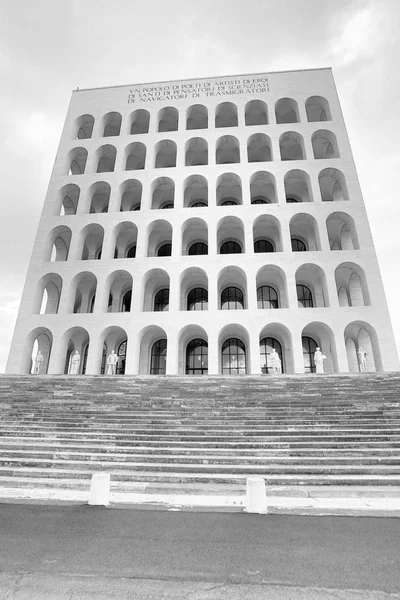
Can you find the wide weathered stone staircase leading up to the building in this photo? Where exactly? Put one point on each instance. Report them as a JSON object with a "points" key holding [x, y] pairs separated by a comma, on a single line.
{"points": [[196, 434]]}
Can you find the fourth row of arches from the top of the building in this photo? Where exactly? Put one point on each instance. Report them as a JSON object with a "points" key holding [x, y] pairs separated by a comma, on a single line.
{"points": [[230, 237]]}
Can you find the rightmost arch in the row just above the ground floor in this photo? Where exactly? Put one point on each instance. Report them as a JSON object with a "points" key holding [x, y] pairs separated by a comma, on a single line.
{"points": [[351, 284]]}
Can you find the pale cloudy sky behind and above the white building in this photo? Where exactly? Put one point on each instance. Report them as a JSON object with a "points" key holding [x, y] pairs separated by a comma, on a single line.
{"points": [[49, 47]]}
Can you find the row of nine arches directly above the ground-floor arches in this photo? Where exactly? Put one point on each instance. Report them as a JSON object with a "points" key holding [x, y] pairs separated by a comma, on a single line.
{"points": [[193, 284]]}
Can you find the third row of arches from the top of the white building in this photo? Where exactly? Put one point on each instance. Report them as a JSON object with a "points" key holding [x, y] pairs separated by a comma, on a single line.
{"points": [[297, 186]]}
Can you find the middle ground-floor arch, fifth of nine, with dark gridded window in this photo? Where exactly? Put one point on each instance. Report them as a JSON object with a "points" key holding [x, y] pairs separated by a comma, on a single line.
{"points": [[192, 350]]}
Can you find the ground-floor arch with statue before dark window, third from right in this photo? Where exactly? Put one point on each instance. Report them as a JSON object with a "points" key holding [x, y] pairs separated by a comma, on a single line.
{"points": [[276, 335]]}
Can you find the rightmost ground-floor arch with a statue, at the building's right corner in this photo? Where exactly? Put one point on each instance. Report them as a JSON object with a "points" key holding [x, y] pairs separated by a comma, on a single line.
{"points": [[360, 334]]}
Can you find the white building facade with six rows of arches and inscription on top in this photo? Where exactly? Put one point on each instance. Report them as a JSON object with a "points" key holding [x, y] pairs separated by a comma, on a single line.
{"points": [[194, 226]]}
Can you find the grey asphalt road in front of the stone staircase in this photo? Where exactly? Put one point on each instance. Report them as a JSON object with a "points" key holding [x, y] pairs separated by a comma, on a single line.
{"points": [[203, 550]]}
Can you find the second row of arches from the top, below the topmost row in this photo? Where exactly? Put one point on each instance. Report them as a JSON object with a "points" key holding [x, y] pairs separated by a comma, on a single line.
{"points": [[227, 151]]}
